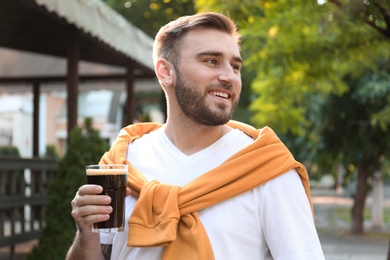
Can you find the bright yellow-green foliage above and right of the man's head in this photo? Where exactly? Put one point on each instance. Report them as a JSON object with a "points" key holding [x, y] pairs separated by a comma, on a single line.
{"points": [[301, 49]]}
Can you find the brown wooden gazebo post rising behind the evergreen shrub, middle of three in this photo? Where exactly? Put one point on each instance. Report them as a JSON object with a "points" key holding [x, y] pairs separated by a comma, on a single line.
{"points": [[72, 80]]}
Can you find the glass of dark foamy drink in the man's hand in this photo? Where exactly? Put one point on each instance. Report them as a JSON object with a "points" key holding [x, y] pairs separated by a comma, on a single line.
{"points": [[113, 179]]}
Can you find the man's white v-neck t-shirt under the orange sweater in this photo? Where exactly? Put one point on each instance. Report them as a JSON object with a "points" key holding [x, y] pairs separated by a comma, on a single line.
{"points": [[272, 221]]}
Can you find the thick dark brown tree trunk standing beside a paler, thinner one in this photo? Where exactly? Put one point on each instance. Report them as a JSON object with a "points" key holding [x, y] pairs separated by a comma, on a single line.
{"points": [[357, 225]]}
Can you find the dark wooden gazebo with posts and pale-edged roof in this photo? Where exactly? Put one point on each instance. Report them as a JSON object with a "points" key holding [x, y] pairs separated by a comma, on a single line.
{"points": [[76, 30]]}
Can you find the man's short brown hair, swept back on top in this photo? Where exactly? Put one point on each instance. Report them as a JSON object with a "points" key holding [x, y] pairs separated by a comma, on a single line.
{"points": [[169, 37]]}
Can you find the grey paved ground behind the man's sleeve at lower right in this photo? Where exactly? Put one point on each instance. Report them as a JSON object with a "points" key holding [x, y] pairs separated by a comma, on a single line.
{"points": [[333, 232]]}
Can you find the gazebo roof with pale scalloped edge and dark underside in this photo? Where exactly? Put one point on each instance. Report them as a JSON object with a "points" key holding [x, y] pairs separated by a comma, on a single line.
{"points": [[45, 26]]}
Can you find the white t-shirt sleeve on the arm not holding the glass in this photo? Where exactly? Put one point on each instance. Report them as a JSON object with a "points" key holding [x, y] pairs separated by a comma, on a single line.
{"points": [[287, 219]]}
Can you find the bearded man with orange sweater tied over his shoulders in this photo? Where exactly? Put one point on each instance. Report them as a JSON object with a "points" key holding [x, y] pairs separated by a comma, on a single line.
{"points": [[202, 186]]}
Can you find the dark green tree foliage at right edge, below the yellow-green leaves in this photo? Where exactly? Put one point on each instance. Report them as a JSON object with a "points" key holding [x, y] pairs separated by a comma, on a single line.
{"points": [[349, 132]]}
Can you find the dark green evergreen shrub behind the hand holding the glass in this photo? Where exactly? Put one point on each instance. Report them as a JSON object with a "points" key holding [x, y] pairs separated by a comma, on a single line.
{"points": [[85, 147]]}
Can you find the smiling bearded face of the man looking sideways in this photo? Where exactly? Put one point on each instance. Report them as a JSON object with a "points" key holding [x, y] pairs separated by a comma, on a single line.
{"points": [[208, 79]]}
